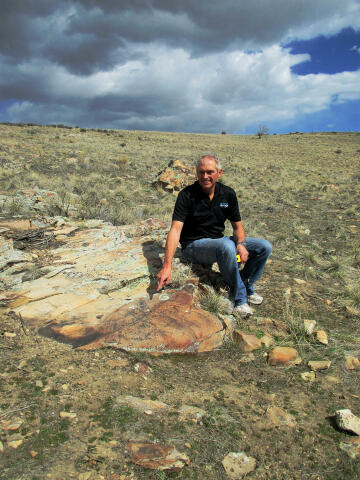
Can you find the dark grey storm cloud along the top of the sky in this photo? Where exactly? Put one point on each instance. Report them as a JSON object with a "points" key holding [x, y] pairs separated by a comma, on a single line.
{"points": [[87, 36]]}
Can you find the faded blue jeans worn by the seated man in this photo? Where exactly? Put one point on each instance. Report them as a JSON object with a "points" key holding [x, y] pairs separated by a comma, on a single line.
{"points": [[223, 251]]}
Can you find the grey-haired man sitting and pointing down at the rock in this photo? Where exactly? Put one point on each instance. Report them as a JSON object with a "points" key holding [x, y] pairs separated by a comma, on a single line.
{"points": [[198, 221]]}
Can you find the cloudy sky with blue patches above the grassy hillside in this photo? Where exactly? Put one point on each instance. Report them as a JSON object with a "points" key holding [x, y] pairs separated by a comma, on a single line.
{"points": [[199, 66]]}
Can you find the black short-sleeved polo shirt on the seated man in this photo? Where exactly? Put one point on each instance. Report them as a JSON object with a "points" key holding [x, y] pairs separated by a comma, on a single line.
{"points": [[202, 217]]}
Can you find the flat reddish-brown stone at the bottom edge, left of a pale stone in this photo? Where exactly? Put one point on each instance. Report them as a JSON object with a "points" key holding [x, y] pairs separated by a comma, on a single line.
{"points": [[157, 457]]}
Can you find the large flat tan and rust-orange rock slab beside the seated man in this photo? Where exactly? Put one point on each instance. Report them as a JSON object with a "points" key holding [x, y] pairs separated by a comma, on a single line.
{"points": [[97, 292]]}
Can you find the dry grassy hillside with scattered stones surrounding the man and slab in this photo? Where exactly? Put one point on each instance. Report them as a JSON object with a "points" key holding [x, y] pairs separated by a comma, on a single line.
{"points": [[301, 192]]}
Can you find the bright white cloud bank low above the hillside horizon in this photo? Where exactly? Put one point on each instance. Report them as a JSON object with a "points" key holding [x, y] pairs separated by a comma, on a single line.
{"points": [[172, 91]]}
